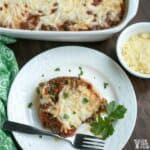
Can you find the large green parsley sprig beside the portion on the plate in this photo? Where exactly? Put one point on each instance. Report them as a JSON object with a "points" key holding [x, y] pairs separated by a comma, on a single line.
{"points": [[103, 127]]}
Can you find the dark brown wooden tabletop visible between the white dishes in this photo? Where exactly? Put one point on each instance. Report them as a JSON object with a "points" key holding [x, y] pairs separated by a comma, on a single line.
{"points": [[26, 49]]}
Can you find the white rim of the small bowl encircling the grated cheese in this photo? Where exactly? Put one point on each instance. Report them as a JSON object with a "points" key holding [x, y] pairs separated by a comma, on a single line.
{"points": [[119, 55]]}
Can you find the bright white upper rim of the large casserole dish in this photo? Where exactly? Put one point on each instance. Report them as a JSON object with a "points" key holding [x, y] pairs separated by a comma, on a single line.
{"points": [[117, 28]]}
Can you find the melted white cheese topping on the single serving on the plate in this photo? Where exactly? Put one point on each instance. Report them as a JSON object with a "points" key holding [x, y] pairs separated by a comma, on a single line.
{"points": [[76, 107]]}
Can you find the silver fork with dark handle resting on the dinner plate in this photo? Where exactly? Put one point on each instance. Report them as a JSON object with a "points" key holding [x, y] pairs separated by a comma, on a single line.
{"points": [[79, 141]]}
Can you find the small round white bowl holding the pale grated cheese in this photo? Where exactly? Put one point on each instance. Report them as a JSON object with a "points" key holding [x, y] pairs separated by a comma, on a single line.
{"points": [[142, 27]]}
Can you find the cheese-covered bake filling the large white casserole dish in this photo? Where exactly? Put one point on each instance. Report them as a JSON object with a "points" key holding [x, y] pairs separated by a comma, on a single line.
{"points": [[61, 15]]}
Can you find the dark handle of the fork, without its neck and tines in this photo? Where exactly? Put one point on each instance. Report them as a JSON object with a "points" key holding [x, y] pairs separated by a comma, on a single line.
{"points": [[14, 126]]}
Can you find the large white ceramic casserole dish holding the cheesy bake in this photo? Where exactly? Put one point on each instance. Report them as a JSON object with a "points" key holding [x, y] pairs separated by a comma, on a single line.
{"points": [[75, 36]]}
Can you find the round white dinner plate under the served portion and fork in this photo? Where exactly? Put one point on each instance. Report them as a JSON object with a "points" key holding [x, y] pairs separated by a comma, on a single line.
{"points": [[97, 68]]}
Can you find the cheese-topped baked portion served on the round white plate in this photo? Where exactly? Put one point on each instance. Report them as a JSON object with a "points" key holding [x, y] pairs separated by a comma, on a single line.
{"points": [[66, 103]]}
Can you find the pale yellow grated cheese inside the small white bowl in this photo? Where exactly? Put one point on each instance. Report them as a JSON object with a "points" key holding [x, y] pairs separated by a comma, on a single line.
{"points": [[136, 52]]}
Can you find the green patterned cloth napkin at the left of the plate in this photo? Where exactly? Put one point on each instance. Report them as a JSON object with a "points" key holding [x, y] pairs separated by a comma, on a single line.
{"points": [[8, 71]]}
